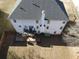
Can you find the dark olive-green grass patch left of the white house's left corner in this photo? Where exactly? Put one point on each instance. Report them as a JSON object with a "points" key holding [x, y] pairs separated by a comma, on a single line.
{"points": [[5, 25]]}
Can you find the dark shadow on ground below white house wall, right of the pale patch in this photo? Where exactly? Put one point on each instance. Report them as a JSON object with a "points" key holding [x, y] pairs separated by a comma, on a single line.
{"points": [[50, 41]]}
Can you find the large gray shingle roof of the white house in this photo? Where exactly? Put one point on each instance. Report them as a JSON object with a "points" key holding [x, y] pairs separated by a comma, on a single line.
{"points": [[31, 9]]}
